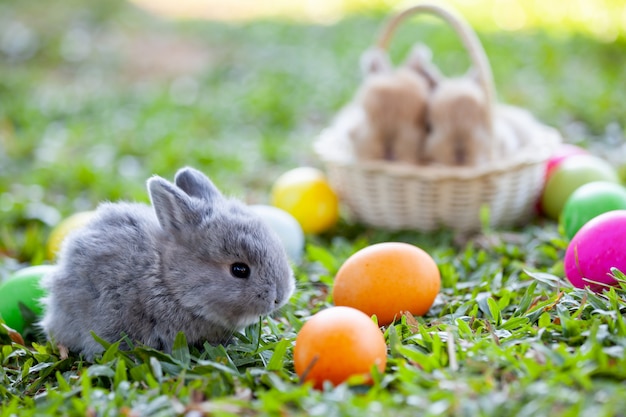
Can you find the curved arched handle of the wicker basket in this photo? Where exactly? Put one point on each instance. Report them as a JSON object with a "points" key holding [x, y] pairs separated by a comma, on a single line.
{"points": [[466, 34]]}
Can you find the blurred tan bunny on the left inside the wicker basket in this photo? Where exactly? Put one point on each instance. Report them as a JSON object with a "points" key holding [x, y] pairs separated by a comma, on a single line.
{"points": [[393, 104]]}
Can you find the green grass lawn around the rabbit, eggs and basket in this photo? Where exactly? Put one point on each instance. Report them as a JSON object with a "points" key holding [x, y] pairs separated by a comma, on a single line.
{"points": [[507, 335]]}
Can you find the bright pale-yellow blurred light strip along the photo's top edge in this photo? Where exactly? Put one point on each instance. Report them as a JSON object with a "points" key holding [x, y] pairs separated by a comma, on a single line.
{"points": [[603, 19]]}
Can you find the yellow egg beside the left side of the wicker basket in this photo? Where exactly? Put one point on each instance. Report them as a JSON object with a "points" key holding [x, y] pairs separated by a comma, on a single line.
{"points": [[306, 194]]}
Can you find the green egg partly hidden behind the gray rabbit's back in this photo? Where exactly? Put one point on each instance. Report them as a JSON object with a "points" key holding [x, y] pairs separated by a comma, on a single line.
{"points": [[22, 287]]}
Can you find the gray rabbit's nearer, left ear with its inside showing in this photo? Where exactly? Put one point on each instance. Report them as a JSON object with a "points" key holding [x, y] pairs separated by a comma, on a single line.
{"points": [[174, 209]]}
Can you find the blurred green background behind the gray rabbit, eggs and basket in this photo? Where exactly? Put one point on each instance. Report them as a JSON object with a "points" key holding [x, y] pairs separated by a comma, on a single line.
{"points": [[97, 96]]}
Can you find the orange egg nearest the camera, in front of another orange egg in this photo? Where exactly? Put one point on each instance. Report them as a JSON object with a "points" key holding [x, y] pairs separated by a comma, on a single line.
{"points": [[336, 344]]}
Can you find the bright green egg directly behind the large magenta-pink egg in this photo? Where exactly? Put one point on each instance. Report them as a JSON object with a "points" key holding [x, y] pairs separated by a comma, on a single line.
{"points": [[590, 200]]}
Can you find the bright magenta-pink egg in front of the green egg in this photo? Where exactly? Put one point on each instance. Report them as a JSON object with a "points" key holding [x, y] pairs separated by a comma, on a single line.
{"points": [[596, 248]]}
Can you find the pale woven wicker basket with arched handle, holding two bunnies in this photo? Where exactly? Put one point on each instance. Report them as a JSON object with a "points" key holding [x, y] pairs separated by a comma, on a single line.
{"points": [[402, 196]]}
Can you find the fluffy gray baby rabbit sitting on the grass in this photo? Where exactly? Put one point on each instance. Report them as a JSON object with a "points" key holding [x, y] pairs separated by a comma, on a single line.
{"points": [[195, 262]]}
